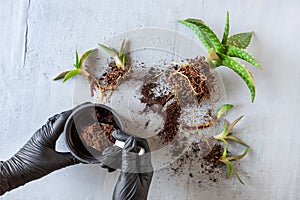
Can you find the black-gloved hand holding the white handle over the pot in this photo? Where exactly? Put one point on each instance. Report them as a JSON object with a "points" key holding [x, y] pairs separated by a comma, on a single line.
{"points": [[136, 171]]}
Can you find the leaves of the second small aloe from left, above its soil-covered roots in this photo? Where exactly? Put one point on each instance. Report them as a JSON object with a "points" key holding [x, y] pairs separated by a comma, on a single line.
{"points": [[119, 57]]}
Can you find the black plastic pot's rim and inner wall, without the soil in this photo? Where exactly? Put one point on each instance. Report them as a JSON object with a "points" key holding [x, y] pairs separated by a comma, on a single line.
{"points": [[82, 116]]}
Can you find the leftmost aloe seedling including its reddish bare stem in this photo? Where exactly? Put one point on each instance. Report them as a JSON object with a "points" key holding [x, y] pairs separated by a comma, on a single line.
{"points": [[79, 69]]}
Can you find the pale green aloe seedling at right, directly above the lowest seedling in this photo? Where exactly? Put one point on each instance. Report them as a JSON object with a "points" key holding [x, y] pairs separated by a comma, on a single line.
{"points": [[226, 133]]}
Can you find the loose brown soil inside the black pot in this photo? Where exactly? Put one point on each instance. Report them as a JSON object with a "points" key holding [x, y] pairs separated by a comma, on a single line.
{"points": [[98, 134]]}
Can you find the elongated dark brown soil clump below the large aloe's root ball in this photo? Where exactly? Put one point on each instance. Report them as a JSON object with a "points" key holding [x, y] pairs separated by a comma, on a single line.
{"points": [[170, 130]]}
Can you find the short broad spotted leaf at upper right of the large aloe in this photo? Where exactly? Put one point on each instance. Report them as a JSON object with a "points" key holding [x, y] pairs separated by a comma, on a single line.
{"points": [[240, 40]]}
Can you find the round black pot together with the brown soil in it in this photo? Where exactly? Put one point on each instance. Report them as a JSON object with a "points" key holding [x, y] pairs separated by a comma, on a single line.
{"points": [[84, 119]]}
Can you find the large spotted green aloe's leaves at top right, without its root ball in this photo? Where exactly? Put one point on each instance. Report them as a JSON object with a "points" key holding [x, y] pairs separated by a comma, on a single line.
{"points": [[222, 52]]}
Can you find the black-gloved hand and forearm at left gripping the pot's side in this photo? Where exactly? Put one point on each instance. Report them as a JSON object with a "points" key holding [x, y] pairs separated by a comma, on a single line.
{"points": [[37, 157]]}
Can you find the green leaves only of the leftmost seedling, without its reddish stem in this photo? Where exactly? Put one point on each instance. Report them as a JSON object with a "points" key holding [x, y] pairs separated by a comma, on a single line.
{"points": [[78, 68]]}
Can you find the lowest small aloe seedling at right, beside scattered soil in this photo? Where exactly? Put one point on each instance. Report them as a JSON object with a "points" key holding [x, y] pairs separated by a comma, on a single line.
{"points": [[227, 161]]}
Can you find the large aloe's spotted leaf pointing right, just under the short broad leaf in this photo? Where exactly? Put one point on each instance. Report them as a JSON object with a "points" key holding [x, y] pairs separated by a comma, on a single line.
{"points": [[240, 53]]}
